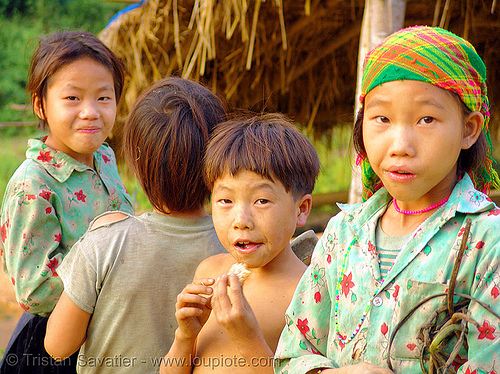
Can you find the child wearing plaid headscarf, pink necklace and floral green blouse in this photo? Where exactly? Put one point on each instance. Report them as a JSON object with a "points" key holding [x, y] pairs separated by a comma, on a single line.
{"points": [[423, 138]]}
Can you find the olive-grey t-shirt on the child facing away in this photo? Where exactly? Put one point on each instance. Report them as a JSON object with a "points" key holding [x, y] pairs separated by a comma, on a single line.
{"points": [[128, 274]]}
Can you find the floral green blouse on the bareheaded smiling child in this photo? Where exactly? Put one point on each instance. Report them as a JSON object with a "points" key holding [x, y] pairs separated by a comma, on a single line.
{"points": [[48, 204]]}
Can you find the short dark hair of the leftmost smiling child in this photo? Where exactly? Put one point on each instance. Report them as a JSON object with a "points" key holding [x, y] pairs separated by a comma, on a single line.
{"points": [[58, 49]]}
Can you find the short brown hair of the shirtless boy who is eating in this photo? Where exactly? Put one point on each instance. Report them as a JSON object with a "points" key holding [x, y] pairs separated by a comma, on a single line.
{"points": [[268, 145]]}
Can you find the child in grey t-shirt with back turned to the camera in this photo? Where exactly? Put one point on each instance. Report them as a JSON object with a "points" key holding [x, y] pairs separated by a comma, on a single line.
{"points": [[122, 277]]}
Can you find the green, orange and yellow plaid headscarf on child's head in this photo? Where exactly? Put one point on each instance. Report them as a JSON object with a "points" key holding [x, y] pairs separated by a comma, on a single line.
{"points": [[439, 57]]}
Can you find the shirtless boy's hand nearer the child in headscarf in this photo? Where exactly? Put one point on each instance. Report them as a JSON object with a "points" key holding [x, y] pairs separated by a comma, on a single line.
{"points": [[232, 310]]}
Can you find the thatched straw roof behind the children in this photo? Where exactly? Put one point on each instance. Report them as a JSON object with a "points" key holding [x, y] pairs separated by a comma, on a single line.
{"points": [[294, 56]]}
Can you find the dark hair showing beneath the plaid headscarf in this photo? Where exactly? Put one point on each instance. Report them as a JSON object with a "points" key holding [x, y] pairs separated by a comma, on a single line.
{"points": [[469, 160]]}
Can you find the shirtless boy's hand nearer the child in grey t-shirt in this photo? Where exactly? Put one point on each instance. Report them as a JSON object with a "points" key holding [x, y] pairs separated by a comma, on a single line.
{"points": [[192, 308]]}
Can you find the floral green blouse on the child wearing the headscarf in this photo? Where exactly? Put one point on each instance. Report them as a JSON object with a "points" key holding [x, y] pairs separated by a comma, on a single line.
{"points": [[321, 333]]}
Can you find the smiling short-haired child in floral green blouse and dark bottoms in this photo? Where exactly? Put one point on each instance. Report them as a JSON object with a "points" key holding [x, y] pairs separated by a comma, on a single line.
{"points": [[68, 178]]}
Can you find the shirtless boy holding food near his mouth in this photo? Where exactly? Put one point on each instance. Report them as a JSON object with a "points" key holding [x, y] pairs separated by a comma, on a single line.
{"points": [[261, 172]]}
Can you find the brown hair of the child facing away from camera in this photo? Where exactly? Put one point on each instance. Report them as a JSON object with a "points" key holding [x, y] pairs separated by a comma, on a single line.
{"points": [[165, 137]]}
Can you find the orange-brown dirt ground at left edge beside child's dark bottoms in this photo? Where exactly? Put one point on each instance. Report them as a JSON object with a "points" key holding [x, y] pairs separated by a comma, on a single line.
{"points": [[9, 310]]}
